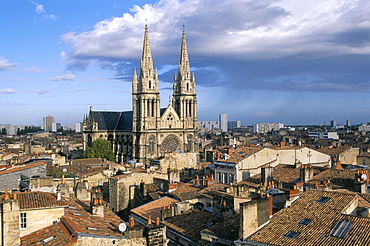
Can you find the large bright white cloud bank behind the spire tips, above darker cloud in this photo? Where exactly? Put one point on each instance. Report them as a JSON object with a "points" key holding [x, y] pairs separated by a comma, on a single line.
{"points": [[247, 28]]}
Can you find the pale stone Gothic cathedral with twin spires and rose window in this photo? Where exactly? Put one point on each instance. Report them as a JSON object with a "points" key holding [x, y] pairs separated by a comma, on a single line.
{"points": [[148, 131]]}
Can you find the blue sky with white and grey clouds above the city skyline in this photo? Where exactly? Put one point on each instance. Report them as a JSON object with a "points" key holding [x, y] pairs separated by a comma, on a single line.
{"points": [[288, 61]]}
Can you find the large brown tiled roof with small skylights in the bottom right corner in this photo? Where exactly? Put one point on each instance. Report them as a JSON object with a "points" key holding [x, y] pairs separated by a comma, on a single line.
{"points": [[323, 219]]}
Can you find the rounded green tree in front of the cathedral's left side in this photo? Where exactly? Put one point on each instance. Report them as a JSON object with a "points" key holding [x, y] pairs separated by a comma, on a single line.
{"points": [[100, 148]]}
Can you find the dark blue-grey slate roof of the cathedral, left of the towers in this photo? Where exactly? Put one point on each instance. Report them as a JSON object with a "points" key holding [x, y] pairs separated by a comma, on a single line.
{"points": [[113, 121]]}
